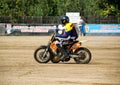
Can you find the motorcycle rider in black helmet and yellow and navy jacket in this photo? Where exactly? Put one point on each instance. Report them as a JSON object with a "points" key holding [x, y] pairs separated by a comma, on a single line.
{"points": [[69, 35]]}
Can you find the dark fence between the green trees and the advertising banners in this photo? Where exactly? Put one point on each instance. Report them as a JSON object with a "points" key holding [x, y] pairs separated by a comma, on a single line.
{"points": [[56, 19]]}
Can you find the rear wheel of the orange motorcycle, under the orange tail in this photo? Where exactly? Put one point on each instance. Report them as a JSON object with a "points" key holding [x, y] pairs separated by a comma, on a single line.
{"points": [[84, 56]]}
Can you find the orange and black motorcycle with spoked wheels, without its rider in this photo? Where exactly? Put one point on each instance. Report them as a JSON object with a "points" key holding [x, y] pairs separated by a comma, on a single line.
{"points": [[50, 52]]}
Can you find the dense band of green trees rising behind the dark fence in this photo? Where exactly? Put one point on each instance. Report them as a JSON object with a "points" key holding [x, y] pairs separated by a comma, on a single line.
{"points": [[20, 8]]}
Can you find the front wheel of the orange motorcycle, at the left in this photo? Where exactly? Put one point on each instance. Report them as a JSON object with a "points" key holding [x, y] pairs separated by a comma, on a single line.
{"points": [[41, 55]]}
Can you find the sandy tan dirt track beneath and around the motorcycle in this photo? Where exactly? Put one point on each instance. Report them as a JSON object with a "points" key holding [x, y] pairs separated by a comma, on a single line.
{"points": [[18, 67]]}
